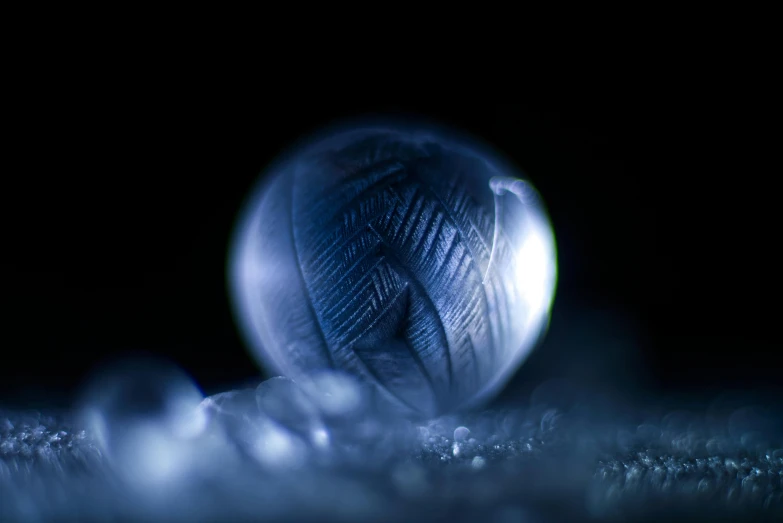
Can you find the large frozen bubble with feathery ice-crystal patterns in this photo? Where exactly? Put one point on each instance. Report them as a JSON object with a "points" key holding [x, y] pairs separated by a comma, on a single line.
{"points": [[409, 257]]}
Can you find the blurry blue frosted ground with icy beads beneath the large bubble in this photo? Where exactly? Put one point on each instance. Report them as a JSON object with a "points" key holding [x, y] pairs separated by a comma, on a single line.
{"points": [[317, 452]]}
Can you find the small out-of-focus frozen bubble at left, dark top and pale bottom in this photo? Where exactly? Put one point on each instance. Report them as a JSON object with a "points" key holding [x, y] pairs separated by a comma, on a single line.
{"points": [[144, 415]]}
